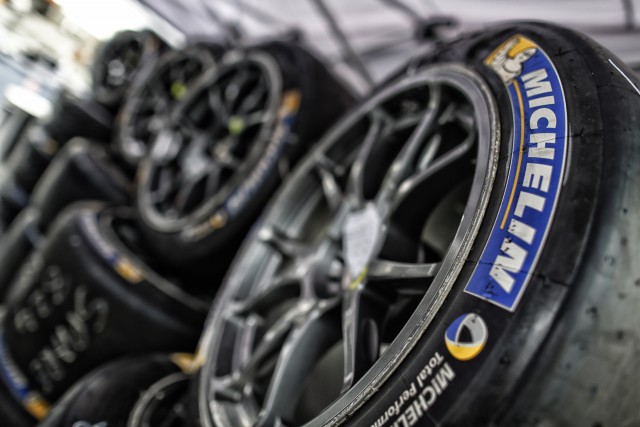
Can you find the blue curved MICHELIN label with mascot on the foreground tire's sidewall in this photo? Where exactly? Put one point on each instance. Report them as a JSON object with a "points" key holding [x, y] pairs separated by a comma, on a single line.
{"points": [[536, 170]]}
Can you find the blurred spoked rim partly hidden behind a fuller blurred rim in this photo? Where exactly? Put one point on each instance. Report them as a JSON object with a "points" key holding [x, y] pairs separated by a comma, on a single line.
{"points": [[147, 112]]}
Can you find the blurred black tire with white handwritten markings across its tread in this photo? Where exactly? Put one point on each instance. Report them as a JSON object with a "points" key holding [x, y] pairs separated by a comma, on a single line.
{"points": [[92, 300]]}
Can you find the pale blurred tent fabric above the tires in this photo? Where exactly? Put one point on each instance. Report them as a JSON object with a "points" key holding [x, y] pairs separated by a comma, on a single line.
{"points": [[372, 24]]}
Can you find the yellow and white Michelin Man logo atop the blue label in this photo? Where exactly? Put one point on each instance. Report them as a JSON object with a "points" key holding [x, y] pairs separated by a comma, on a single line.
{"points": [[508, 58]]}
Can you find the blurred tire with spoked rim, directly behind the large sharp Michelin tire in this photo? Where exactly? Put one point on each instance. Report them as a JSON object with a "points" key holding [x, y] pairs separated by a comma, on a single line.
{"points": [[227, 146]]}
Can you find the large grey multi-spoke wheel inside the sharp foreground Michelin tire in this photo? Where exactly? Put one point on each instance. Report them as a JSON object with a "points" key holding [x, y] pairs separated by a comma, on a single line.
{"points": [[354, 258]]}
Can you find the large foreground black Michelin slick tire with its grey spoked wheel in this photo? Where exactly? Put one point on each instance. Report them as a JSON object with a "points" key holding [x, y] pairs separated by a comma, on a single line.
{"points": [[460, 250]]}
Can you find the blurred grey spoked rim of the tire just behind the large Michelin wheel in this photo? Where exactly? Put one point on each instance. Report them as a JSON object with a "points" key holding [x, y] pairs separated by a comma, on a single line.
{"points": [[217, 134]]}
